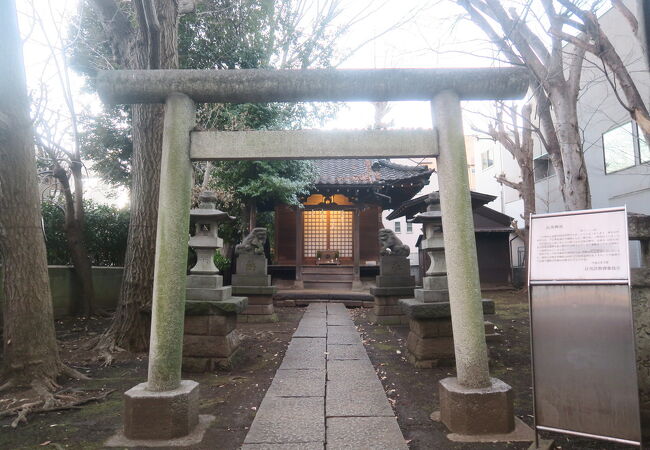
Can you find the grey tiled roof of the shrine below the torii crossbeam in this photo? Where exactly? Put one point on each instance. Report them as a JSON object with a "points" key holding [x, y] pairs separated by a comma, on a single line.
{"points": [[365, 172]]}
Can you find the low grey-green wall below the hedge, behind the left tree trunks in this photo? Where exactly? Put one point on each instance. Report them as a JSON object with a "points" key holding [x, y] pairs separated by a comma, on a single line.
{"points": [[65, 295]]}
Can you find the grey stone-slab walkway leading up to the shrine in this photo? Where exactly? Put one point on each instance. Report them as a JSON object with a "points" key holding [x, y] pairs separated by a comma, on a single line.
{"points": [[326, 393]]}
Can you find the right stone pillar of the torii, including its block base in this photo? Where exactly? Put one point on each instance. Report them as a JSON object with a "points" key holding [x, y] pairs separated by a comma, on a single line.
{"points": [[471, 402]]}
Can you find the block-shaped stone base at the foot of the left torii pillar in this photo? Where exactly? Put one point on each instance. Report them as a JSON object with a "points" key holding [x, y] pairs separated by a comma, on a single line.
{"points": [[161, 415]]}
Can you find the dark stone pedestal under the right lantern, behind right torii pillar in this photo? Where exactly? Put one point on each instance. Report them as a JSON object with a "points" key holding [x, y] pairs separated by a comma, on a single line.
{"points": [[430, 341]]}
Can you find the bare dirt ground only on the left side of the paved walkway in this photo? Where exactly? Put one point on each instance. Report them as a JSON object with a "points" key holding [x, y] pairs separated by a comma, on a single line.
{"points": [[232, 397]]}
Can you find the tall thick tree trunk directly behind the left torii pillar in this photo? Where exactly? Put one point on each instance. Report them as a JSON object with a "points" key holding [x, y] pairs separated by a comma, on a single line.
{"points": [[130, 326]]}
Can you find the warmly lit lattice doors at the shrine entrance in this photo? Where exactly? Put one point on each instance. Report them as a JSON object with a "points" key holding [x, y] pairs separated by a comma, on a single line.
{"points": [[328, 230]]}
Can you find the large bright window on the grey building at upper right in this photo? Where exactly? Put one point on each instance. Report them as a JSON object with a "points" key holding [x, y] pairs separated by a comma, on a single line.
{"points": [[624, 147]]}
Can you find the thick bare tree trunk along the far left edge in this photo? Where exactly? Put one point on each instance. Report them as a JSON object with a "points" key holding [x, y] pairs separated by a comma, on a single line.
{"points": [[29, 342]]}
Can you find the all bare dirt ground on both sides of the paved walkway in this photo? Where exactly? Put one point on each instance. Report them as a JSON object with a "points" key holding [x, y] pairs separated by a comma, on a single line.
{"points": [[234, 396]]}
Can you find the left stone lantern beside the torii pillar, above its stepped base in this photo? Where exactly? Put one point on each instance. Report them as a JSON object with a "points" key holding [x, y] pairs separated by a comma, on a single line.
{"points": [[206, 240]]}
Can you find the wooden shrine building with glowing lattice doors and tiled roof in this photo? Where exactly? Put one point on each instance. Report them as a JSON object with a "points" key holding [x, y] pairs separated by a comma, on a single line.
{"points": [[329, 240]]}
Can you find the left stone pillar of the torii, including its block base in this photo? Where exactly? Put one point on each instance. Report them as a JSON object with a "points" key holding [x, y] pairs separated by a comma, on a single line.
{"points": [[166, 407]]}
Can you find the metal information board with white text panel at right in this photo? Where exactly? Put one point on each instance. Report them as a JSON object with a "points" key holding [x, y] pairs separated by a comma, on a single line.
{"points": [[582, 333]]}
